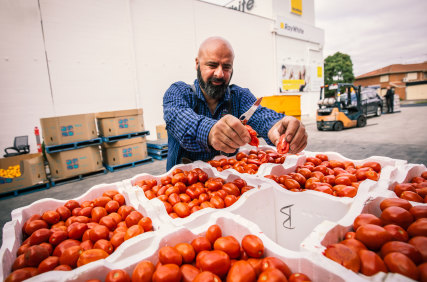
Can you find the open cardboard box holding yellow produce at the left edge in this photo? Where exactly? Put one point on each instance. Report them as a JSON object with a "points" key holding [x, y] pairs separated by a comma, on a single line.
{"points": [[32, 172]]}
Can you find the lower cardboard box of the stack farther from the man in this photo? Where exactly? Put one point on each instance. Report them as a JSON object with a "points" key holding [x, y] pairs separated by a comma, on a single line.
{"points": [[70, 163]]}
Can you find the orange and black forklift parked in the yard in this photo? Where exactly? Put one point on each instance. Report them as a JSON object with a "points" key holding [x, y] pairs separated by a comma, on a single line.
{"points": [[340, 107]]}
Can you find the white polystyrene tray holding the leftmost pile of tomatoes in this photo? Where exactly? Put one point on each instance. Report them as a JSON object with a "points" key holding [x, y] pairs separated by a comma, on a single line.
{"points": [[12, 230]]}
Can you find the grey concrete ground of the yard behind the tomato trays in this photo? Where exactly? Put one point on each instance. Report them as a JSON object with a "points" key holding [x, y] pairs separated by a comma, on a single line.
{"points": [[401, 135]]}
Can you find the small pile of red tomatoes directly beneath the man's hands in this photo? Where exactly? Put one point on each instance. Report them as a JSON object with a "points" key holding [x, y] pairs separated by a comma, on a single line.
{"points": [[248, 163]]}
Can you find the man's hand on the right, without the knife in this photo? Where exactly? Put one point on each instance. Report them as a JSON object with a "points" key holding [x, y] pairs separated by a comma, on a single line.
{"points": [[295, 133]]}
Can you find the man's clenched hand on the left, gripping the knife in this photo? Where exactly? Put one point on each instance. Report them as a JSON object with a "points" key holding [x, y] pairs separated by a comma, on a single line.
{"points": [[228, 134]]}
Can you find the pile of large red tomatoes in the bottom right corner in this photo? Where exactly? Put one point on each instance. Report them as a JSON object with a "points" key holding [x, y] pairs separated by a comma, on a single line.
{"points": [[394, 242]]}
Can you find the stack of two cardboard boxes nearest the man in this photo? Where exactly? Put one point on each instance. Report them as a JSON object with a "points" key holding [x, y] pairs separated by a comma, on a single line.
{"points": [[128, 150]]}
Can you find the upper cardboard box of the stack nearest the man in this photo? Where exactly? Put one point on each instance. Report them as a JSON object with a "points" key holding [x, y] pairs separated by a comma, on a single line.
{"points": [[120, 122]]}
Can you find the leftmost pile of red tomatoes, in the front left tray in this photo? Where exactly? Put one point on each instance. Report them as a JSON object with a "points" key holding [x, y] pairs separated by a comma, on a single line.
{"points": [[75, 234]]}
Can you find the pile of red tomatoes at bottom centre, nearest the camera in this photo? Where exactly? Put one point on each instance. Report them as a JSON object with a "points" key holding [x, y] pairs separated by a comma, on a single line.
{"points": [[212, 257]]}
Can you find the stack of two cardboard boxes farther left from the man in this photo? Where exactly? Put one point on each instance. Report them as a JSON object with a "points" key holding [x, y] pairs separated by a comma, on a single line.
{"points": [[71, 129]]}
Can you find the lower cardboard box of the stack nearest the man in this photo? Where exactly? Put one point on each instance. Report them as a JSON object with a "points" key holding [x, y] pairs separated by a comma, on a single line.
{"points": [[124, 151]]}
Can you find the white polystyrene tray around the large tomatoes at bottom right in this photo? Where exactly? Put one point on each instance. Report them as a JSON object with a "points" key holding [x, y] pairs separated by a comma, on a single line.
{"points": [[328, 232]]}
